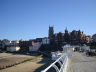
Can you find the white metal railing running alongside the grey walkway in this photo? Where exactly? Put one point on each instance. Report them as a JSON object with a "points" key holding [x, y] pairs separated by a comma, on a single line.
{"points": [[62, 64]]}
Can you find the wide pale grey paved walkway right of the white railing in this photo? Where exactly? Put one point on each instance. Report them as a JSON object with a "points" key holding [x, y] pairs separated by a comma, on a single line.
{"points": [[79, 62]]}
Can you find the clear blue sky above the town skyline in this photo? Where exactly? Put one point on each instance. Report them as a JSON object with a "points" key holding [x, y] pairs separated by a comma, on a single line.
{"points": [[29, 19]]}
